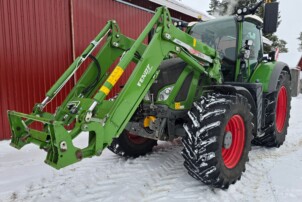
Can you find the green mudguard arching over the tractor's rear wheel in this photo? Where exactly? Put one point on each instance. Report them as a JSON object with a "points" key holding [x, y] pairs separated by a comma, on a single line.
{"points": [[267, 74]]}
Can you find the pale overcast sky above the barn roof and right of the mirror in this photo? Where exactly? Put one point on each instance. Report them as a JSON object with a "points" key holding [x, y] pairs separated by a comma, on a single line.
{"points": [[289, 29]]}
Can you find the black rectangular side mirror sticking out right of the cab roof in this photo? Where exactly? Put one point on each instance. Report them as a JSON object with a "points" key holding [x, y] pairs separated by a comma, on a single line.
{"points": [[271, 12]]}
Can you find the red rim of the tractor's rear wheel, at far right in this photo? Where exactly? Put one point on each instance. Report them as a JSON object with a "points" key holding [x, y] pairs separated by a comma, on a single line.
{"points": [[281, 109]]}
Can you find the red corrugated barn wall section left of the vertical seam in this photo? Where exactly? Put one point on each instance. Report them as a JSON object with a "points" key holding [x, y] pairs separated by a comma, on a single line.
{"points": [[35, 49]]}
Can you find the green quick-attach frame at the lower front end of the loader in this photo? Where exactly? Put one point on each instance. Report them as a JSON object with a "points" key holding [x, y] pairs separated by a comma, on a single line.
{"points": [[54, 139]]}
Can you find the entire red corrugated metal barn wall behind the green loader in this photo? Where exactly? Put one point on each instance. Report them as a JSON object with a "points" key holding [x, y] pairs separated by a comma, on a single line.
{"points": [[40, 38]]}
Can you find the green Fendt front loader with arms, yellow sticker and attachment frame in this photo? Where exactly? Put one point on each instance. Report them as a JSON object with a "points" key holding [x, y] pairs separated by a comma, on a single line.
{"points": [[86, 105]]}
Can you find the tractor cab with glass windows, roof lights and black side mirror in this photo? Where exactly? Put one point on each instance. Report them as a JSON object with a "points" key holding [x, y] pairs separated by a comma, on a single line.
{"points": [[238, 39]]}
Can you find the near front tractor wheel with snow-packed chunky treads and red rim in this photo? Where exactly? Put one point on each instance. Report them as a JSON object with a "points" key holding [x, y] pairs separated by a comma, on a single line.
{"points": [[218, 139]]}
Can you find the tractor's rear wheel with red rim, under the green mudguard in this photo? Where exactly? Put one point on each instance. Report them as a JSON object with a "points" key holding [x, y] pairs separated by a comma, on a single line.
{"points": [[277, 113]]}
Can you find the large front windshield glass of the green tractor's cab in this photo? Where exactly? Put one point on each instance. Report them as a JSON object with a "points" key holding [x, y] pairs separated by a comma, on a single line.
{"points": [[220, 34]]}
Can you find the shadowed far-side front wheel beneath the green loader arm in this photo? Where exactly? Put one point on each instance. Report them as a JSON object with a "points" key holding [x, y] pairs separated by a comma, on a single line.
{"points": [[129, 145]]}
